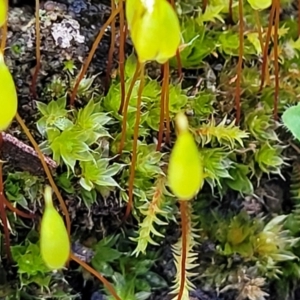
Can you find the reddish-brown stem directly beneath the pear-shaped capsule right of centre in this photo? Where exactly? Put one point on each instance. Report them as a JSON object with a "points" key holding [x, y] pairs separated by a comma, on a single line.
{"points": [[183, 212]]}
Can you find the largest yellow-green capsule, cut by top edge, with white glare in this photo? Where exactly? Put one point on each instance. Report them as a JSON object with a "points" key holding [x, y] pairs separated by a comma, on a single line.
{"points": [[154, 29]]}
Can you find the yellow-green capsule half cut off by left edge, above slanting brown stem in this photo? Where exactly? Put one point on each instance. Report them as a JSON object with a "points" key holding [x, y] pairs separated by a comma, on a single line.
{"points": [[8, 96]]}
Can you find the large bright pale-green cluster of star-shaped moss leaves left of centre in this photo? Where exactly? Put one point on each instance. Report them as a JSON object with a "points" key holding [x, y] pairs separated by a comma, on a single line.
{"points": [[69, 136]]}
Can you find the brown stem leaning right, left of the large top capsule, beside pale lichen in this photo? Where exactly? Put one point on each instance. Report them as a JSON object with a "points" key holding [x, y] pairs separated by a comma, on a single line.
{"points": [[91, 53]]}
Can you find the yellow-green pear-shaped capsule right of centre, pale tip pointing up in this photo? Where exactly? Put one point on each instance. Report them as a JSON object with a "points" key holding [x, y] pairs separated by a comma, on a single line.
{"points": [[185, 171]]}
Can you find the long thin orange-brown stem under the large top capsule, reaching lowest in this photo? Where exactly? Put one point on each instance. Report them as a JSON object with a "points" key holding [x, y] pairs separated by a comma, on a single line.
{"points": [[135, 143]]}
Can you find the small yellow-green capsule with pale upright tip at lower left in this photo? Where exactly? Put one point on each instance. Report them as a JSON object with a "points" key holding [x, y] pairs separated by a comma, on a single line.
{"points": [[54, 239]]}
